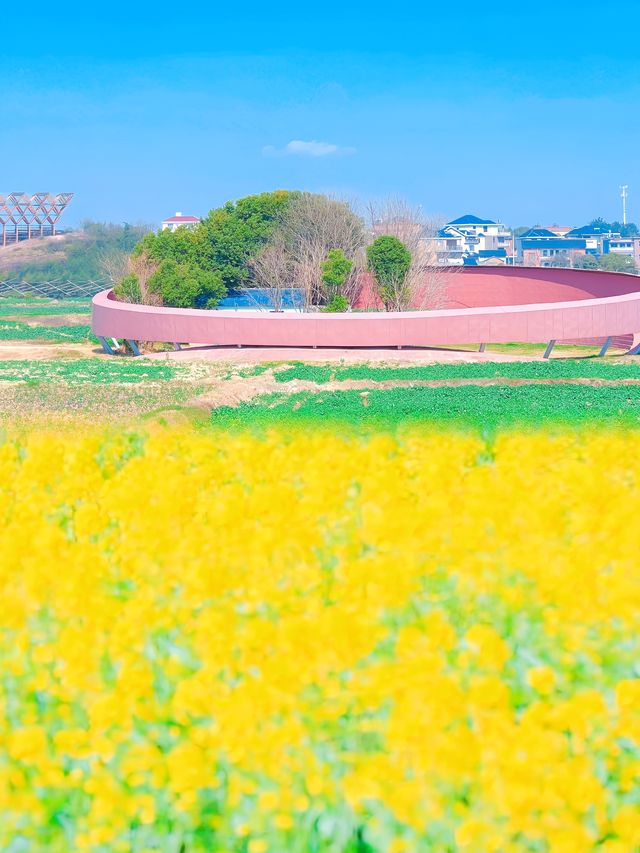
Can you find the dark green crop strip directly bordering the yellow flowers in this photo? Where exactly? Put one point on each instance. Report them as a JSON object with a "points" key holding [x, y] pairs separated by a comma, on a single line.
{"points": [[469, 407]]}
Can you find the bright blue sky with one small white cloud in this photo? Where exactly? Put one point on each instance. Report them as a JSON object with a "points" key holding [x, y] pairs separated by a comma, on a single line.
{"points": [[527, 114]]}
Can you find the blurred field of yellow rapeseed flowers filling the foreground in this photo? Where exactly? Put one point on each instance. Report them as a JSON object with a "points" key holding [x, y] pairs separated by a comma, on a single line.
{"points": [[307, 642]]}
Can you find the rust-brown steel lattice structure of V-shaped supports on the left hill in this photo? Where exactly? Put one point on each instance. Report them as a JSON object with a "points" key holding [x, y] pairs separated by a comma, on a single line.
{"points": [[23, 217]]}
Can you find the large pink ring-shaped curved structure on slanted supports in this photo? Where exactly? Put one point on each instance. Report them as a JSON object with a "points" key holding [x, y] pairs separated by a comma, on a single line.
{"points": [[484, 305]]}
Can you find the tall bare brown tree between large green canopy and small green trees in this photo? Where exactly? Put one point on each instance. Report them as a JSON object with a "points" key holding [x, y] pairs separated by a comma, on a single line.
{"points": [[311, 227]]}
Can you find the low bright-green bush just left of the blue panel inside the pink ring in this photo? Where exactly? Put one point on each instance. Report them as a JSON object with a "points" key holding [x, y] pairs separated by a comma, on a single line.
{"points": [[185, 285]]}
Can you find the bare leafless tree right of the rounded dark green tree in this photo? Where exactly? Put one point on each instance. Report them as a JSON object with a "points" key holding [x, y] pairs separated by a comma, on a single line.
{"points": [[426, 282]]}
